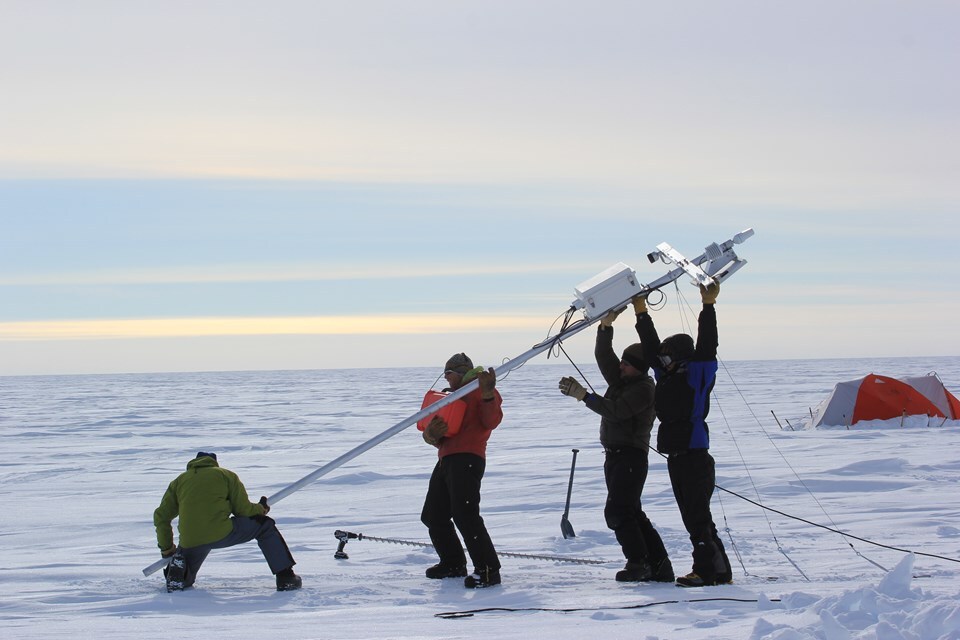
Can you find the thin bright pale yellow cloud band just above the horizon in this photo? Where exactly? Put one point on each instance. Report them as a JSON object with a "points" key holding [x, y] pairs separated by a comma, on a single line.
{"points": [[232, 326]]}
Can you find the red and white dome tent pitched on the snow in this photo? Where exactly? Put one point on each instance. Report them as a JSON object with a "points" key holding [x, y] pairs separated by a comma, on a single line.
{"points": [[874, 397]]}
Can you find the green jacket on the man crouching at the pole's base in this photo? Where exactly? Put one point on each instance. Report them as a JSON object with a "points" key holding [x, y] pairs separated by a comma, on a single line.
{"points": [[204, 497]]}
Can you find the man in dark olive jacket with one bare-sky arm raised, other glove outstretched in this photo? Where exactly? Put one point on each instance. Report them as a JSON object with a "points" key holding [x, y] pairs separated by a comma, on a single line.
{"points": [[626, 419]]}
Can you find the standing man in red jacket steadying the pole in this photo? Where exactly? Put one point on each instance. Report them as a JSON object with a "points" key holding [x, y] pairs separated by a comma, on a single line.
{"points": [[453, 495]]}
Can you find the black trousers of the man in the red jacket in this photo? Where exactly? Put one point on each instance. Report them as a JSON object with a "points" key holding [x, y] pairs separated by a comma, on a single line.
{"points": [[453, 498]]}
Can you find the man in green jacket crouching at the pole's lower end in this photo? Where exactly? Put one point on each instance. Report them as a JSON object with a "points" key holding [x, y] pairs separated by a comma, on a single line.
{"points": [[214, 512]]}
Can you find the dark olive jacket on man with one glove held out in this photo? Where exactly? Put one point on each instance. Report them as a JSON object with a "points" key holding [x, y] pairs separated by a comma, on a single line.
{"points": [[626, 408]]}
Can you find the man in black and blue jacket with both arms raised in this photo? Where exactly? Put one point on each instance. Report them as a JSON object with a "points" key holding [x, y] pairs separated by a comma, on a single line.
{"points": [[685, 374]]}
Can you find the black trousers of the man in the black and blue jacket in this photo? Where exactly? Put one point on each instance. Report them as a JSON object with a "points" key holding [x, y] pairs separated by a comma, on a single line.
{"points": [[693, 477]]}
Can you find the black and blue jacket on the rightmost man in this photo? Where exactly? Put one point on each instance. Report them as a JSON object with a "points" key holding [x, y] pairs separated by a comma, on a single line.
{"points": [[683, 394]]}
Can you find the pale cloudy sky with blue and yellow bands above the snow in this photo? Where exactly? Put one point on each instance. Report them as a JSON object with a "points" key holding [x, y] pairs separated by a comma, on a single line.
{"points": [[192, 186]]}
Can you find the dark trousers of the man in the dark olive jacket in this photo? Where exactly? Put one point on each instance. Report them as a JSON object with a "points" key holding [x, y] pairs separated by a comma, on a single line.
{"points": [[625, 472]]}
